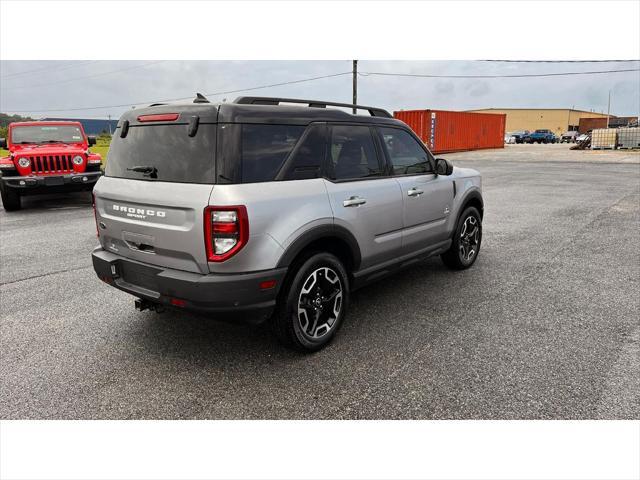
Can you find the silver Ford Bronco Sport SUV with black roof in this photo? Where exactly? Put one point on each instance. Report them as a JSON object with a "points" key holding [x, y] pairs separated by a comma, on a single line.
{"points": [[270, 208]]}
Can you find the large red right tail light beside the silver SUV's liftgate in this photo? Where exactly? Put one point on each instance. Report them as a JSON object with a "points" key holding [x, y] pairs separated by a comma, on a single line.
{"points": [[226, 231]]}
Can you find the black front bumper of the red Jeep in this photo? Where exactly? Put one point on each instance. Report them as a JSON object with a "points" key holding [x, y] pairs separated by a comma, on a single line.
{"points": [[47, 183]]}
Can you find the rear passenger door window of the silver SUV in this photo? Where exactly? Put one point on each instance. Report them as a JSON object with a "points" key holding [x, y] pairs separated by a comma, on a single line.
{"points": [[352, 153]]}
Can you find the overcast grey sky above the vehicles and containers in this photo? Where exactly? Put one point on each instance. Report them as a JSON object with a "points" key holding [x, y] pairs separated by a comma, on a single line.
{"points": [[32, 87]]}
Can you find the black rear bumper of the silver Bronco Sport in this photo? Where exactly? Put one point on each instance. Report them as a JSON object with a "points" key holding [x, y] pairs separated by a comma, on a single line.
{"points": [[230, 294]]}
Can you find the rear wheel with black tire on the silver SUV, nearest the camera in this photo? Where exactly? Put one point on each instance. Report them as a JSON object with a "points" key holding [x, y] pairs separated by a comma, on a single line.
{"points": [[295, 329]]}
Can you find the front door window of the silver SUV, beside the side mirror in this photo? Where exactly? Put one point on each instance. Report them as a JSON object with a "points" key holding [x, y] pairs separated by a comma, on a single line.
{"points": [[406, 155]]}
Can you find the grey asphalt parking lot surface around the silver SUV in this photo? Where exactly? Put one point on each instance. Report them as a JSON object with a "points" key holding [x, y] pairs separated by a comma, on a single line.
{"points": [[545, 325]]}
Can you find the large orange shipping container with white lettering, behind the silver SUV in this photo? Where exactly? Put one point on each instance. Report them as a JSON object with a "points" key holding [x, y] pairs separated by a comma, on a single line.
{"points": [[443, 131]]}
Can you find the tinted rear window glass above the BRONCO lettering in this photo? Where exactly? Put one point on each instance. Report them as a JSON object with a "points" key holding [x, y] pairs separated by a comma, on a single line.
{"points": [[175, 156]]}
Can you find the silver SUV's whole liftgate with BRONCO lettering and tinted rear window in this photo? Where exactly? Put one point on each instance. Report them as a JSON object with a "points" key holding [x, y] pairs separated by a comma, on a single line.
{"points": [[150, 203]]}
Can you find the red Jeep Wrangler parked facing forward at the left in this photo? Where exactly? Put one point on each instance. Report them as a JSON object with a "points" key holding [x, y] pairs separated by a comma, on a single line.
{"points": [[46, 157]]}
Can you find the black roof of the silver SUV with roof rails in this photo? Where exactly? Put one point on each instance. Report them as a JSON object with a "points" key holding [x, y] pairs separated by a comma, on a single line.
{"points": [[264, 110]]}
